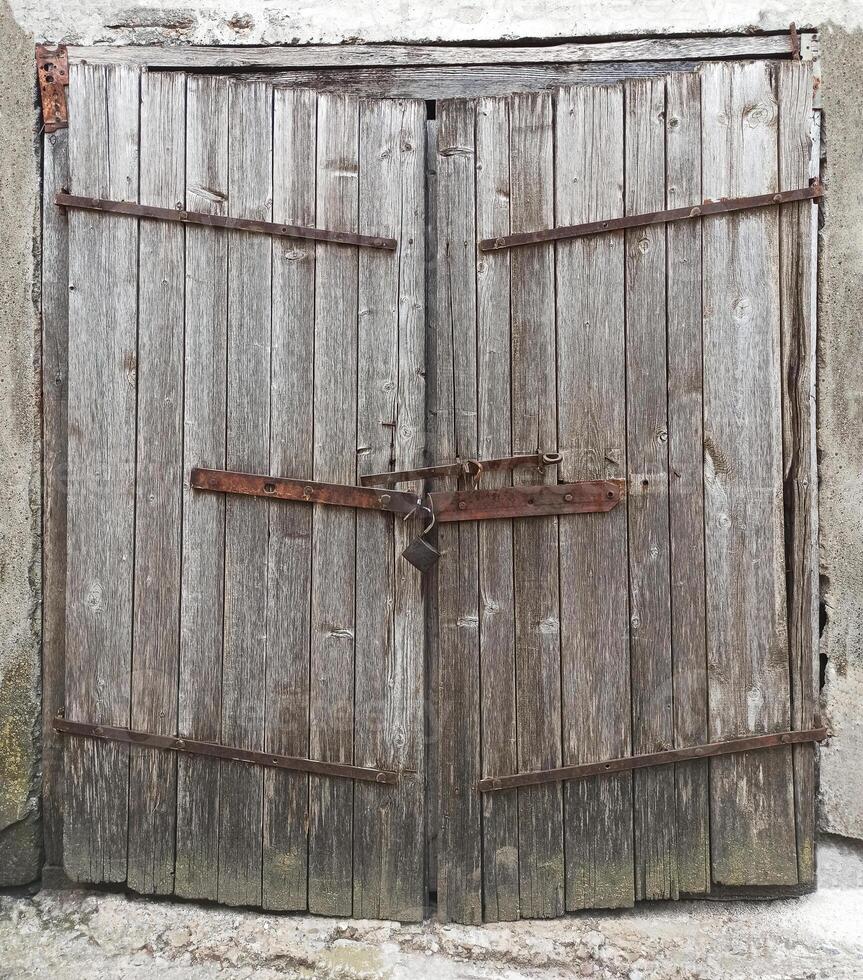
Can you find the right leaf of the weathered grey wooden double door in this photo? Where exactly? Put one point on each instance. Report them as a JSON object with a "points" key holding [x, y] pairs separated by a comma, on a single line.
{"points": [[663, 354]]}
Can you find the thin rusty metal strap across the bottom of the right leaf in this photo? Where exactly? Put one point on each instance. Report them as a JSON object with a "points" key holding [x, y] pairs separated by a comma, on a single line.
{"points": [[749, 743]]}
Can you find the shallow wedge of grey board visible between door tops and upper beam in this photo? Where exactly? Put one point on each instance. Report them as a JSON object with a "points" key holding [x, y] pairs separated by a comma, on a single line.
{"points": [[451, 82]]}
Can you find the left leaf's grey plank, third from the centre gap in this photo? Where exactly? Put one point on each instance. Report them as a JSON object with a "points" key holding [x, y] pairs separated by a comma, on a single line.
{"points": [[285, 846]]}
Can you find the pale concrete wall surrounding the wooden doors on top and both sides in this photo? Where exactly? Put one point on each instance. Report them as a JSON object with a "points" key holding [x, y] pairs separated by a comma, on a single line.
{"points": [[332, 21]]}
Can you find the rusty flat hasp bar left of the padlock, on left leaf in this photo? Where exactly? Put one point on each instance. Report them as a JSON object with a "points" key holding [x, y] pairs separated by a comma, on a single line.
{"points": [[304, 491]]}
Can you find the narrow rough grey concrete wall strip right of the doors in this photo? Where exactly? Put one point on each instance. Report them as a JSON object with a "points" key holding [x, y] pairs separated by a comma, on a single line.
{"points": [[840, 436]]}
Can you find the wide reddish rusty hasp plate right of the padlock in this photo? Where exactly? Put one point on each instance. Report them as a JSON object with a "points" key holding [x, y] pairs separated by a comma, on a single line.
{"points": [[585, 497]]}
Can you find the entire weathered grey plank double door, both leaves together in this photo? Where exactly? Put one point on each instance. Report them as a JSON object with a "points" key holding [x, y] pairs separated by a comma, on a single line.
{"points": [[664, 356]]}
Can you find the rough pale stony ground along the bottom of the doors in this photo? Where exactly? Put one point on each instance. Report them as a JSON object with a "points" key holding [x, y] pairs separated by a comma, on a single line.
{"points": [[88, 936]]}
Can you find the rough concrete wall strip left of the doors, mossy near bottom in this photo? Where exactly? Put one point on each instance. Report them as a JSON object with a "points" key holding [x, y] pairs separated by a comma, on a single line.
{"points": [[20, 834]]}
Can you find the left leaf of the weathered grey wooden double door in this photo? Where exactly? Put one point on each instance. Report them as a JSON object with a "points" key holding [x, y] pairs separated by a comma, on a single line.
{"points": [[260, 626]]}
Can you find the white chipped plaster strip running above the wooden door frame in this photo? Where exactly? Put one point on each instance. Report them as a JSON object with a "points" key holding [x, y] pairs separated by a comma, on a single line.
{"points": [[335, 21]]}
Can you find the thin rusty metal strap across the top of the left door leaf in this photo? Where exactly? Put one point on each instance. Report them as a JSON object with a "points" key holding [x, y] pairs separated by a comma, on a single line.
{"points": [[221, 221]]}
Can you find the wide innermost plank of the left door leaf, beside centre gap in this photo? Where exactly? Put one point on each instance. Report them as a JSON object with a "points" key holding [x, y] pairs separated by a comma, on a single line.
{"points": [[388, 821]]}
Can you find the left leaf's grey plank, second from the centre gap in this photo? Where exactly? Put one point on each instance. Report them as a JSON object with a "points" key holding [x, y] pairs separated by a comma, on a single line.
{"points": [[331, 714]]}
